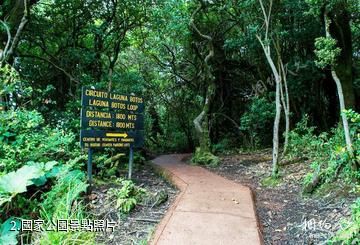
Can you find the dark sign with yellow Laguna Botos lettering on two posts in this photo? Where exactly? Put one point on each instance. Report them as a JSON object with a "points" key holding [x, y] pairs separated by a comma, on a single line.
{"points": [[110, 120]]}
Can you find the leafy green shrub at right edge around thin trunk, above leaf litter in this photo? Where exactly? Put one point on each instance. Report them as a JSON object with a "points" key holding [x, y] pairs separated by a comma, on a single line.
{"points": [[327, 151]]}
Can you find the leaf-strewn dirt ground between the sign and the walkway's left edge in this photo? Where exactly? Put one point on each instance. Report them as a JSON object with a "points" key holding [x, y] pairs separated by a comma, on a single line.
{"points": [[138, 225]]}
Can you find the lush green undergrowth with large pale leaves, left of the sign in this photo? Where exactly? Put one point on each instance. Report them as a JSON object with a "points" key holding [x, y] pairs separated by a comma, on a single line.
{"points": [[40, 179]]}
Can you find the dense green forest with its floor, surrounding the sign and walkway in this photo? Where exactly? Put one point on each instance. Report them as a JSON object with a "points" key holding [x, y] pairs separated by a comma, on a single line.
{"points": [[263, 92]]}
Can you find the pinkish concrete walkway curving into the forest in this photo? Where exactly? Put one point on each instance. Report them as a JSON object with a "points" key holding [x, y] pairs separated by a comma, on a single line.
{"points": [[209, 209]]}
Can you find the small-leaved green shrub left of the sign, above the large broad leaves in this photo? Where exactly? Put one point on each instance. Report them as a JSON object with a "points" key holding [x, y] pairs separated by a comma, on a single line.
{"points": [[23, 138]]}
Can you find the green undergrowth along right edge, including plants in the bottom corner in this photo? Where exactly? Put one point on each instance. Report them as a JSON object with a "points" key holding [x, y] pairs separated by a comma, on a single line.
{"points": [[331, 162]]}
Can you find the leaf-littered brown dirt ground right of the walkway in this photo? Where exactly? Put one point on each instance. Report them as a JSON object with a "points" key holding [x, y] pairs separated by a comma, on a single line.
{"points": [[286, 216]]}
